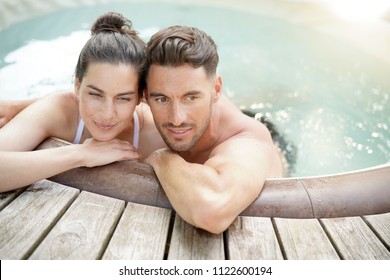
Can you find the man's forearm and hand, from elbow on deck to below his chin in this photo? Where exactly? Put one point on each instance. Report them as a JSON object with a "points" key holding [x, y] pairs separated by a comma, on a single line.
{"points": [[194, 190]]}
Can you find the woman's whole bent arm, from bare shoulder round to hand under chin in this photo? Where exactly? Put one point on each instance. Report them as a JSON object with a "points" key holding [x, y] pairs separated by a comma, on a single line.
{"points": [[49, 117]]}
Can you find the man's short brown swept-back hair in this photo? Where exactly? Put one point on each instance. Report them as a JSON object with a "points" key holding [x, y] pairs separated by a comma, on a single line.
{"points": [[177, 45]]}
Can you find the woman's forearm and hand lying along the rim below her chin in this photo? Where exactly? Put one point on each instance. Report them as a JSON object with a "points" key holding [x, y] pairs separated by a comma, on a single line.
{"points": [[19, 169]]}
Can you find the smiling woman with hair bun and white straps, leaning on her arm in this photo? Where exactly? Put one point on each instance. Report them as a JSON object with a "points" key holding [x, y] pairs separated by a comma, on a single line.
{"points": [[102, 113]]}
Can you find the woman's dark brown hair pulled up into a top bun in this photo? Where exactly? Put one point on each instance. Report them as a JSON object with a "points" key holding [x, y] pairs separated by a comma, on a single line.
{"points": [[113, 41]]}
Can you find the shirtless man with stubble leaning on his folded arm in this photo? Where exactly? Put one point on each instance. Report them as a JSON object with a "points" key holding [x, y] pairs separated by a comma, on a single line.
{"points": [[218, 158]]}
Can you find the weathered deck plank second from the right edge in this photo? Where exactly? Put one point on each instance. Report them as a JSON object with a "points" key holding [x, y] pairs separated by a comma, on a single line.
{"points": [[354, 239]]}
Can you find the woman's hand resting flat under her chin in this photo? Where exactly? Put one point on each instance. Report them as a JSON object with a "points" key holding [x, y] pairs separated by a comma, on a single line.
{"points": [[101, 153]]}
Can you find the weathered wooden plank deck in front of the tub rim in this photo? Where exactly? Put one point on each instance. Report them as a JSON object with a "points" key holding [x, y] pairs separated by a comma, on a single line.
{"points": [[51, 221]]}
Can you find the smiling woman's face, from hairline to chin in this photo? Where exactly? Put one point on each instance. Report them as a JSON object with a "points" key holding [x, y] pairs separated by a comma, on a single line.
{"points": [[108, 95]]}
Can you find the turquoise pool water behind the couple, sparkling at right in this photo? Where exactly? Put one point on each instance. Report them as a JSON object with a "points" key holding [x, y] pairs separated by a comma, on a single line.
{"points": [[327, 97]]}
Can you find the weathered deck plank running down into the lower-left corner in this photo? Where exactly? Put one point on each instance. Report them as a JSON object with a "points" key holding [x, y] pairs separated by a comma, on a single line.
{"points": [[27, 220]]}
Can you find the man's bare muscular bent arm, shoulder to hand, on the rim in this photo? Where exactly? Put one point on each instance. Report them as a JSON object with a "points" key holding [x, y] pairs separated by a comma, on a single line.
{"points": [[212, 195]]}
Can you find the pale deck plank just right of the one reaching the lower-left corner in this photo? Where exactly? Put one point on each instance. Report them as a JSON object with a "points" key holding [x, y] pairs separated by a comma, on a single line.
{"points": [[84, 231]]}
